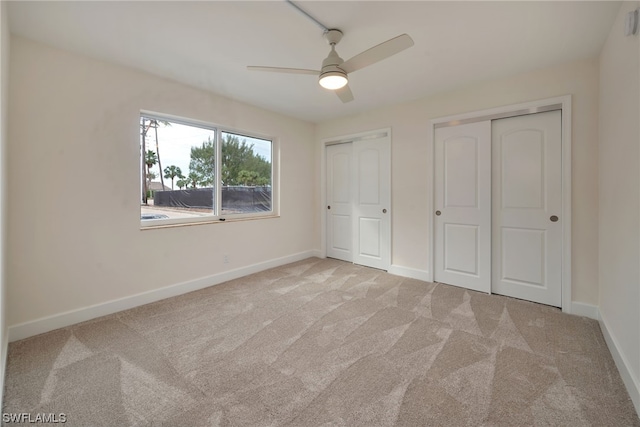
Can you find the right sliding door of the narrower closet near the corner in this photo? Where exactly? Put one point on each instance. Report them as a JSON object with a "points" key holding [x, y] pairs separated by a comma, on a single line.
{"points": [[372, 202]]}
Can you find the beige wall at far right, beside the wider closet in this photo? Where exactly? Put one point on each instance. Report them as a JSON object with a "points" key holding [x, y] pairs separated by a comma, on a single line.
{"points": [[619, 168]]}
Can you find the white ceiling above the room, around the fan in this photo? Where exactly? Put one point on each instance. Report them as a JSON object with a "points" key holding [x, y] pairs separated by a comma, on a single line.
{"points": [[208, 44]]}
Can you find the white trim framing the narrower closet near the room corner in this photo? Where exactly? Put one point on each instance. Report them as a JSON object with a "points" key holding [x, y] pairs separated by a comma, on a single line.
{"points": [[344, 139]]}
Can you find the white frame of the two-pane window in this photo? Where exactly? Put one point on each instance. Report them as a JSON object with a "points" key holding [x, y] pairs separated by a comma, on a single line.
{"points": [[216, 216]]}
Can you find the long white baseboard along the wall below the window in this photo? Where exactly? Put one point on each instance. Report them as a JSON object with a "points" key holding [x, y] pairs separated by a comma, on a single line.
{"points": [[61, 320]]}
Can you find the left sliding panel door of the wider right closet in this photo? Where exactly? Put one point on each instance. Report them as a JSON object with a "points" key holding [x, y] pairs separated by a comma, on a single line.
{"points": [[462, 224]]}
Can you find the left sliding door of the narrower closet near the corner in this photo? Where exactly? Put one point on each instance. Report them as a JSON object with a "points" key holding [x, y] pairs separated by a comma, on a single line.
{"points": [[339, 202]]}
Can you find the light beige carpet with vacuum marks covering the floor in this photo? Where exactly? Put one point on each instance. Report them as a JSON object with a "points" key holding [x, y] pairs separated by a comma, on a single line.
{"points": [[323, 342]]}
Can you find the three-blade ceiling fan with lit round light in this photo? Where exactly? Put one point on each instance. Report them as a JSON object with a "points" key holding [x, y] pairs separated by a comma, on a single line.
{"points": [[333, 74]]}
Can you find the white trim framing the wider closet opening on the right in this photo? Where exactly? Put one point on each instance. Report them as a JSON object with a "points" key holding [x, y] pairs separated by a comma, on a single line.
{"points": [[562, 103]]}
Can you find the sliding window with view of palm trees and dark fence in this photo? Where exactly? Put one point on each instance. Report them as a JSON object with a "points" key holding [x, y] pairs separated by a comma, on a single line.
{"points": [[179, 160]]}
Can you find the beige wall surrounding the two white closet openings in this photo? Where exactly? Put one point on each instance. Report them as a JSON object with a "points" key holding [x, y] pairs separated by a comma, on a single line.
{"points": [[409, 123]]}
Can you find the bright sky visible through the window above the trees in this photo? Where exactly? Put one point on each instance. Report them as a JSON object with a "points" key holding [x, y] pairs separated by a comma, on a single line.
{"points": [[175, 144]]}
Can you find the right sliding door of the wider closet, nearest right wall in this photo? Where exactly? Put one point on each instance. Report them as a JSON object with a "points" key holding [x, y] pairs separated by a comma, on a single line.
{"points": [[527, 207]]}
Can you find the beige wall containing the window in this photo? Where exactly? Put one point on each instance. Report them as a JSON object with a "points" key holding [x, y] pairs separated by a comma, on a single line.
{"points": [[74, 210]]}
